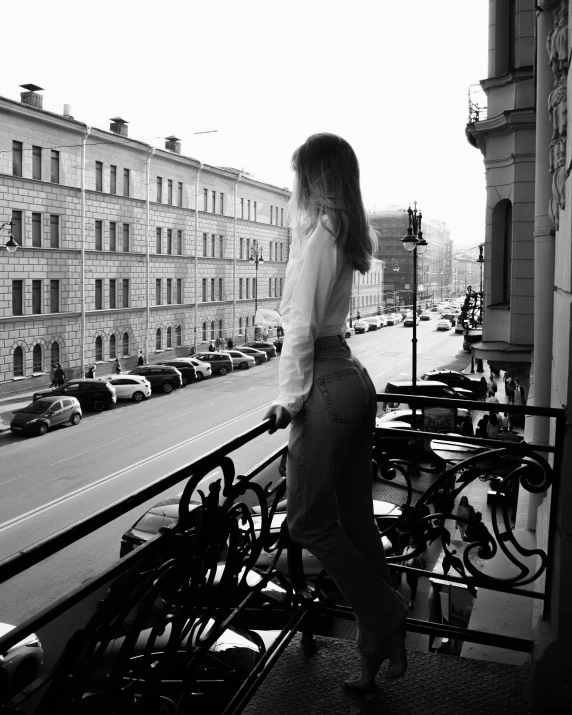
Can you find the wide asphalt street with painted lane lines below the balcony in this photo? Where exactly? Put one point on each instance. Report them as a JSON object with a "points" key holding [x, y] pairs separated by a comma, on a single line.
{"points": [[68, 474]]}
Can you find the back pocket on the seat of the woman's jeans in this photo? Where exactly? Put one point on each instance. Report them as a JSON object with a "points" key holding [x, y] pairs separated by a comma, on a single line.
{"points": [[344, 395]]}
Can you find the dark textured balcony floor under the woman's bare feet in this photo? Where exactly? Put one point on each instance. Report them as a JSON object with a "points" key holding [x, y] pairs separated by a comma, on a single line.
{"points": [[304, 683]]}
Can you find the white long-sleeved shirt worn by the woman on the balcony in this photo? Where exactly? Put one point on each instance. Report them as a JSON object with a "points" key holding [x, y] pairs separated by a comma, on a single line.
{"points": [[316, 301]]}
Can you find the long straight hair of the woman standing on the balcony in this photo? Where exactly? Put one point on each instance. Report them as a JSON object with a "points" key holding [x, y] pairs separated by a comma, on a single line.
{"points": [[327, 185]]}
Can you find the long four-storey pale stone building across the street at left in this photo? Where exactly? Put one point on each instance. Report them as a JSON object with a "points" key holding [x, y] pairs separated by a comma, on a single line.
{"points": [[124, 248]]}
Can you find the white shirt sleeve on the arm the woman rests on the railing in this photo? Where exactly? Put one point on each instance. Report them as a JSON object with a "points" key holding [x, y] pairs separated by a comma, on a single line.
{"points": [[307, 306]]}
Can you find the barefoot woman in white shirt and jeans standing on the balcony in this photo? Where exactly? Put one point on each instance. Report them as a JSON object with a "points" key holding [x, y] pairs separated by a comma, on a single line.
{"points": [[331, 401]]}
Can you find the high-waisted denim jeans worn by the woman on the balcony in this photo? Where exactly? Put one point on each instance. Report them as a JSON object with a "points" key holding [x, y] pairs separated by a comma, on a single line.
{"points": [[329, 481]]}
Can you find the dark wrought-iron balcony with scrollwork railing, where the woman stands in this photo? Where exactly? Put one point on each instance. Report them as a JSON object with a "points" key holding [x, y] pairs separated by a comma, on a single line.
{"points": [[148, 634]]}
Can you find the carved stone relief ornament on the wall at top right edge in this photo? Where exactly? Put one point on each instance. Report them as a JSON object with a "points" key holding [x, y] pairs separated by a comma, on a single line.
{"points": [[557, 50]]}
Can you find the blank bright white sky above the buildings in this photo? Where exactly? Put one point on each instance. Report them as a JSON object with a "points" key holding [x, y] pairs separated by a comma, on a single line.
{"points": [[389, 76]]}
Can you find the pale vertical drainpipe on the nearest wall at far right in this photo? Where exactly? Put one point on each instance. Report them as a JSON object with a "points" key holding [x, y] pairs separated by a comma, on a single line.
{"points": [[543, 254]]}
